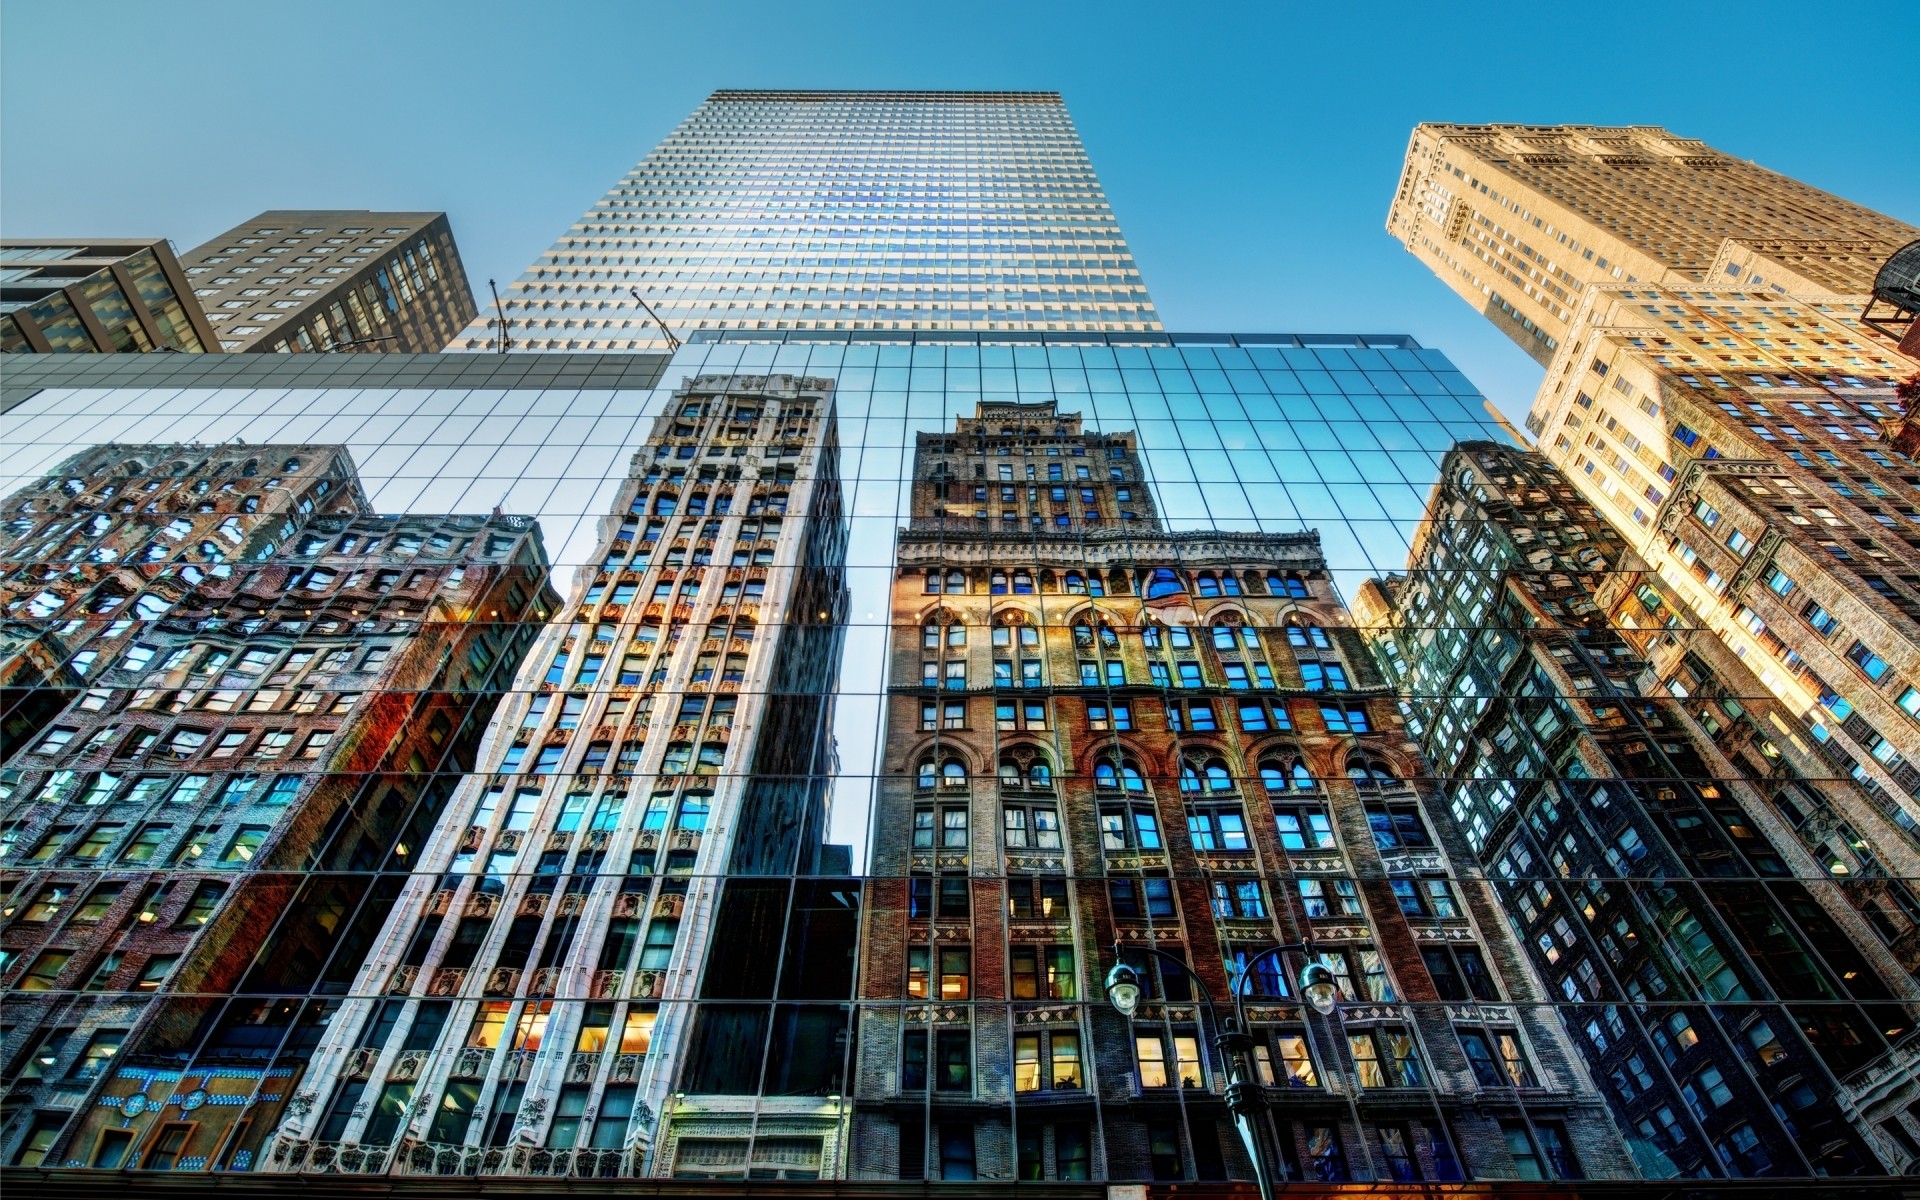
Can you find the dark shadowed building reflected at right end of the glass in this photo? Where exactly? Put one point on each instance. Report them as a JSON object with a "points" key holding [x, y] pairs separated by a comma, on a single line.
{"points": [[1631, 819]]}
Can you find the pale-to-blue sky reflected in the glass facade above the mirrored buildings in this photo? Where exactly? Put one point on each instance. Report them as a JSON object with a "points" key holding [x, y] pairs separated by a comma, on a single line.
{"points": [[1234, 439]]}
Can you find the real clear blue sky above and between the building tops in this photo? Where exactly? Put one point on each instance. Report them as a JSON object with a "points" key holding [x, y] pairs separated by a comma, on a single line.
{"points": [[1249, 151]]}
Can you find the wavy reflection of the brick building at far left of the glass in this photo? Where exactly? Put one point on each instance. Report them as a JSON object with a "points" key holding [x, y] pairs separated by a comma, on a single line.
{"points": [[268, 677]]}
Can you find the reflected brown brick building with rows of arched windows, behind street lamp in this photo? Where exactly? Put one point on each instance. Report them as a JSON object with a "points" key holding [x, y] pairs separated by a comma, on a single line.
{"points": [[1109, 734]]}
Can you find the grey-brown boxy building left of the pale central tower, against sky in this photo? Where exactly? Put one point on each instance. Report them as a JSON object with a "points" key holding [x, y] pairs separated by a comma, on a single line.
{"points": [[300, 281]]}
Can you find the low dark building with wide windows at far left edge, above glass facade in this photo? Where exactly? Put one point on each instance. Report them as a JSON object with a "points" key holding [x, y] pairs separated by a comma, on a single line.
{"points": [[99, 297]]}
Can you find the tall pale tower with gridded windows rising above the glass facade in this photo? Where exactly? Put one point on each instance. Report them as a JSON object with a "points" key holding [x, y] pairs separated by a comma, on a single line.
{"points": [[838, 212]]}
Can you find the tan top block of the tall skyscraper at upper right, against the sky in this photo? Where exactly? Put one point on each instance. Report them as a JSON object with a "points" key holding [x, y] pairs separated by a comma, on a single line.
{"points": [[1522, 218]]}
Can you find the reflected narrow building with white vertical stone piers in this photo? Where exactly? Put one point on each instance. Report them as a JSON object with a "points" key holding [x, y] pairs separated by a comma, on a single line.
{"points": [[617, 953]]}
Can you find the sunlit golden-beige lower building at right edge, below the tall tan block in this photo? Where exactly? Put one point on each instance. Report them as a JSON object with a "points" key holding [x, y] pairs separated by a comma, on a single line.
{"points": [[1756, 481]]}
